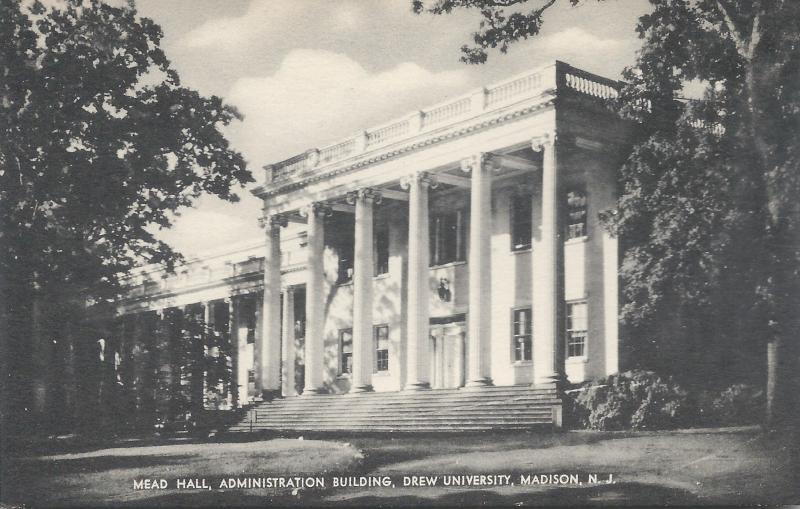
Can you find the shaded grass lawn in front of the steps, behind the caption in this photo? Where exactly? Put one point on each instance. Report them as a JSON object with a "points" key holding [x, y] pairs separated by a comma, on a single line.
{"points": [[720, 466]]}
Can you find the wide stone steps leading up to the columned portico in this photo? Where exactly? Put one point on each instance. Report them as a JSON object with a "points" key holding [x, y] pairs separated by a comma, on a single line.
{"points": [[448, 410]]}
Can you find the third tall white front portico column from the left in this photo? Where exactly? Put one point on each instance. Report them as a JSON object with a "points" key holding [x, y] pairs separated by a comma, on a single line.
{"points": [[362, 289]]}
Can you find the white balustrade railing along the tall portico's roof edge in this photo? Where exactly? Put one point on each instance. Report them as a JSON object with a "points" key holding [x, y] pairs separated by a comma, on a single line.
{"points": [[526, 86]]}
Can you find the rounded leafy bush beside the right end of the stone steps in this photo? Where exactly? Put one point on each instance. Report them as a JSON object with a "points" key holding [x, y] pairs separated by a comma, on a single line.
{"points": [[631, 400]]}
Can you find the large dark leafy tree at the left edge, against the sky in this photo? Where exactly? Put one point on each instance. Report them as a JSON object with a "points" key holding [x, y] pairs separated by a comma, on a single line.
{"points": [[100, 143]]}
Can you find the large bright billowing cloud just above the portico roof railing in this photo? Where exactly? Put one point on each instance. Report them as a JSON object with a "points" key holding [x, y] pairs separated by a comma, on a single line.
{"points": [[316, 97]]}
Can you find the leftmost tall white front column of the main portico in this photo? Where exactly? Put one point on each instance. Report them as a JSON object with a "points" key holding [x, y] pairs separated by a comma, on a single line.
{"points": [[268, 360]]}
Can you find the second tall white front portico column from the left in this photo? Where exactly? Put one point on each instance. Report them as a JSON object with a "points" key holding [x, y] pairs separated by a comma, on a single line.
{"points": [[315, 300]]}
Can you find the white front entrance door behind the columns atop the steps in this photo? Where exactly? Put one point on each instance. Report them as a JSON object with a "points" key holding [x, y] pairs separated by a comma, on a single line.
{"points": [[447, 355]]}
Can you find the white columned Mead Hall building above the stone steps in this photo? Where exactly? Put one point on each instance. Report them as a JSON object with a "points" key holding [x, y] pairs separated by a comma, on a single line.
{"points": [[458, 246]]}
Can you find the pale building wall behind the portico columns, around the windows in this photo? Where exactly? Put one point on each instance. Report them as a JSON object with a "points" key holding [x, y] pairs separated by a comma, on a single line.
{"points": [[589, 263]]}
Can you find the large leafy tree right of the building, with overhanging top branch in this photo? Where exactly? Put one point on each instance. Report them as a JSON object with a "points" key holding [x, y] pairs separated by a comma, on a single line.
{"points": [[708, 215]]}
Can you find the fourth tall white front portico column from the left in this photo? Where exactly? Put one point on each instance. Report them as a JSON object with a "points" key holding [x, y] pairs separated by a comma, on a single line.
{"points": [[418, 318]]}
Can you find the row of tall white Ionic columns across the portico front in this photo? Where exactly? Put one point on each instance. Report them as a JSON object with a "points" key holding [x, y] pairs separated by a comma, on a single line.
{"points": [[547, 289]]}
